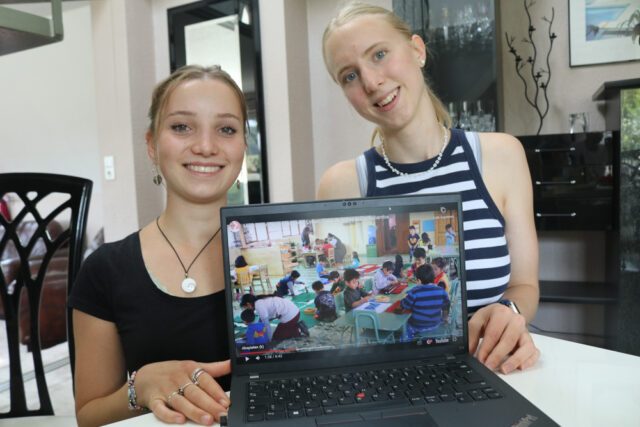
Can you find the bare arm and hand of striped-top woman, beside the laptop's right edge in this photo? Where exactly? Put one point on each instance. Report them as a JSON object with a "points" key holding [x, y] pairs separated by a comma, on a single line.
{"points": [[506, 341]]}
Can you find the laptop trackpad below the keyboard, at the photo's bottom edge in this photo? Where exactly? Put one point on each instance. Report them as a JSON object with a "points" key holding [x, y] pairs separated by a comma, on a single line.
{"points": [[406, 417]]}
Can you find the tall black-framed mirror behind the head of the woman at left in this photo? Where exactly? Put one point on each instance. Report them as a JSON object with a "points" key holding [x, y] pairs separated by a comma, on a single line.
{"points": [[227, 33]]}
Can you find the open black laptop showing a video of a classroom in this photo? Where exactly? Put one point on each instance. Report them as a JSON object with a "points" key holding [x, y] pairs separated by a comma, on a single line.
{"points": [[368, 366]]}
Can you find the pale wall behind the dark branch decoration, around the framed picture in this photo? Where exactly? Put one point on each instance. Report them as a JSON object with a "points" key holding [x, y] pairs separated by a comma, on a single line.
{"points": [[570, 89]]}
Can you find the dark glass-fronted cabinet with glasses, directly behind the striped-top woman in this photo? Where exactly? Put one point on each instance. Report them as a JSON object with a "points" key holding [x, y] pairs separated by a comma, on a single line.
{"points": [[462, 64]]}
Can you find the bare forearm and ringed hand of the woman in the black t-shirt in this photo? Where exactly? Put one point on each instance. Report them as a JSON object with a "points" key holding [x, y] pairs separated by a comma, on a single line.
{"points": [[101, 390]]}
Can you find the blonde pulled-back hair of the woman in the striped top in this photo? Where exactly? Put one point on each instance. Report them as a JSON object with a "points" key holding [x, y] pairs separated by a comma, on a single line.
{"points": [[355, 9]]}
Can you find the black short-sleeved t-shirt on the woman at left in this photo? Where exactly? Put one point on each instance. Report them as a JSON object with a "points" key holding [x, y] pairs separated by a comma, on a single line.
{"points": [[114, 285]]}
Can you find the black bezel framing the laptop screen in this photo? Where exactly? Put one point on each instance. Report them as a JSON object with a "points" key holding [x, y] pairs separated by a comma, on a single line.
{"points": [[227, 214]]}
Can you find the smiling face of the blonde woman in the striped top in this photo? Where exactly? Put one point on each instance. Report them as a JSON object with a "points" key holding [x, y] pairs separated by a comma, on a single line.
{"points": [[378, 69]]}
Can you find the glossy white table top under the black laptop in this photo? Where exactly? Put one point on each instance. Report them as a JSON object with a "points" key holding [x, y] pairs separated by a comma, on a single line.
{"points": [[575, 384]]}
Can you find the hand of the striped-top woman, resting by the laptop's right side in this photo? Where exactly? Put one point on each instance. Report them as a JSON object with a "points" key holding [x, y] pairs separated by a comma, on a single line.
{"points": [[506, 343]]}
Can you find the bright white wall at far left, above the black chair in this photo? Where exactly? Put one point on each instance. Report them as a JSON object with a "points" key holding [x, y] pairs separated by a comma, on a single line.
{"points": [[48, 110]]}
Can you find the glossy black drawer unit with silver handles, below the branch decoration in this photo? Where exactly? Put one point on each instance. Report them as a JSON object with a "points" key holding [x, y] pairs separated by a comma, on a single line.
{"points": [[573, 182]]}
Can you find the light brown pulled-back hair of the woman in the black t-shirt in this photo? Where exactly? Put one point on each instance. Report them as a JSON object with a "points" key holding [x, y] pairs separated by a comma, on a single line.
{"points": [[165, 88]]}
